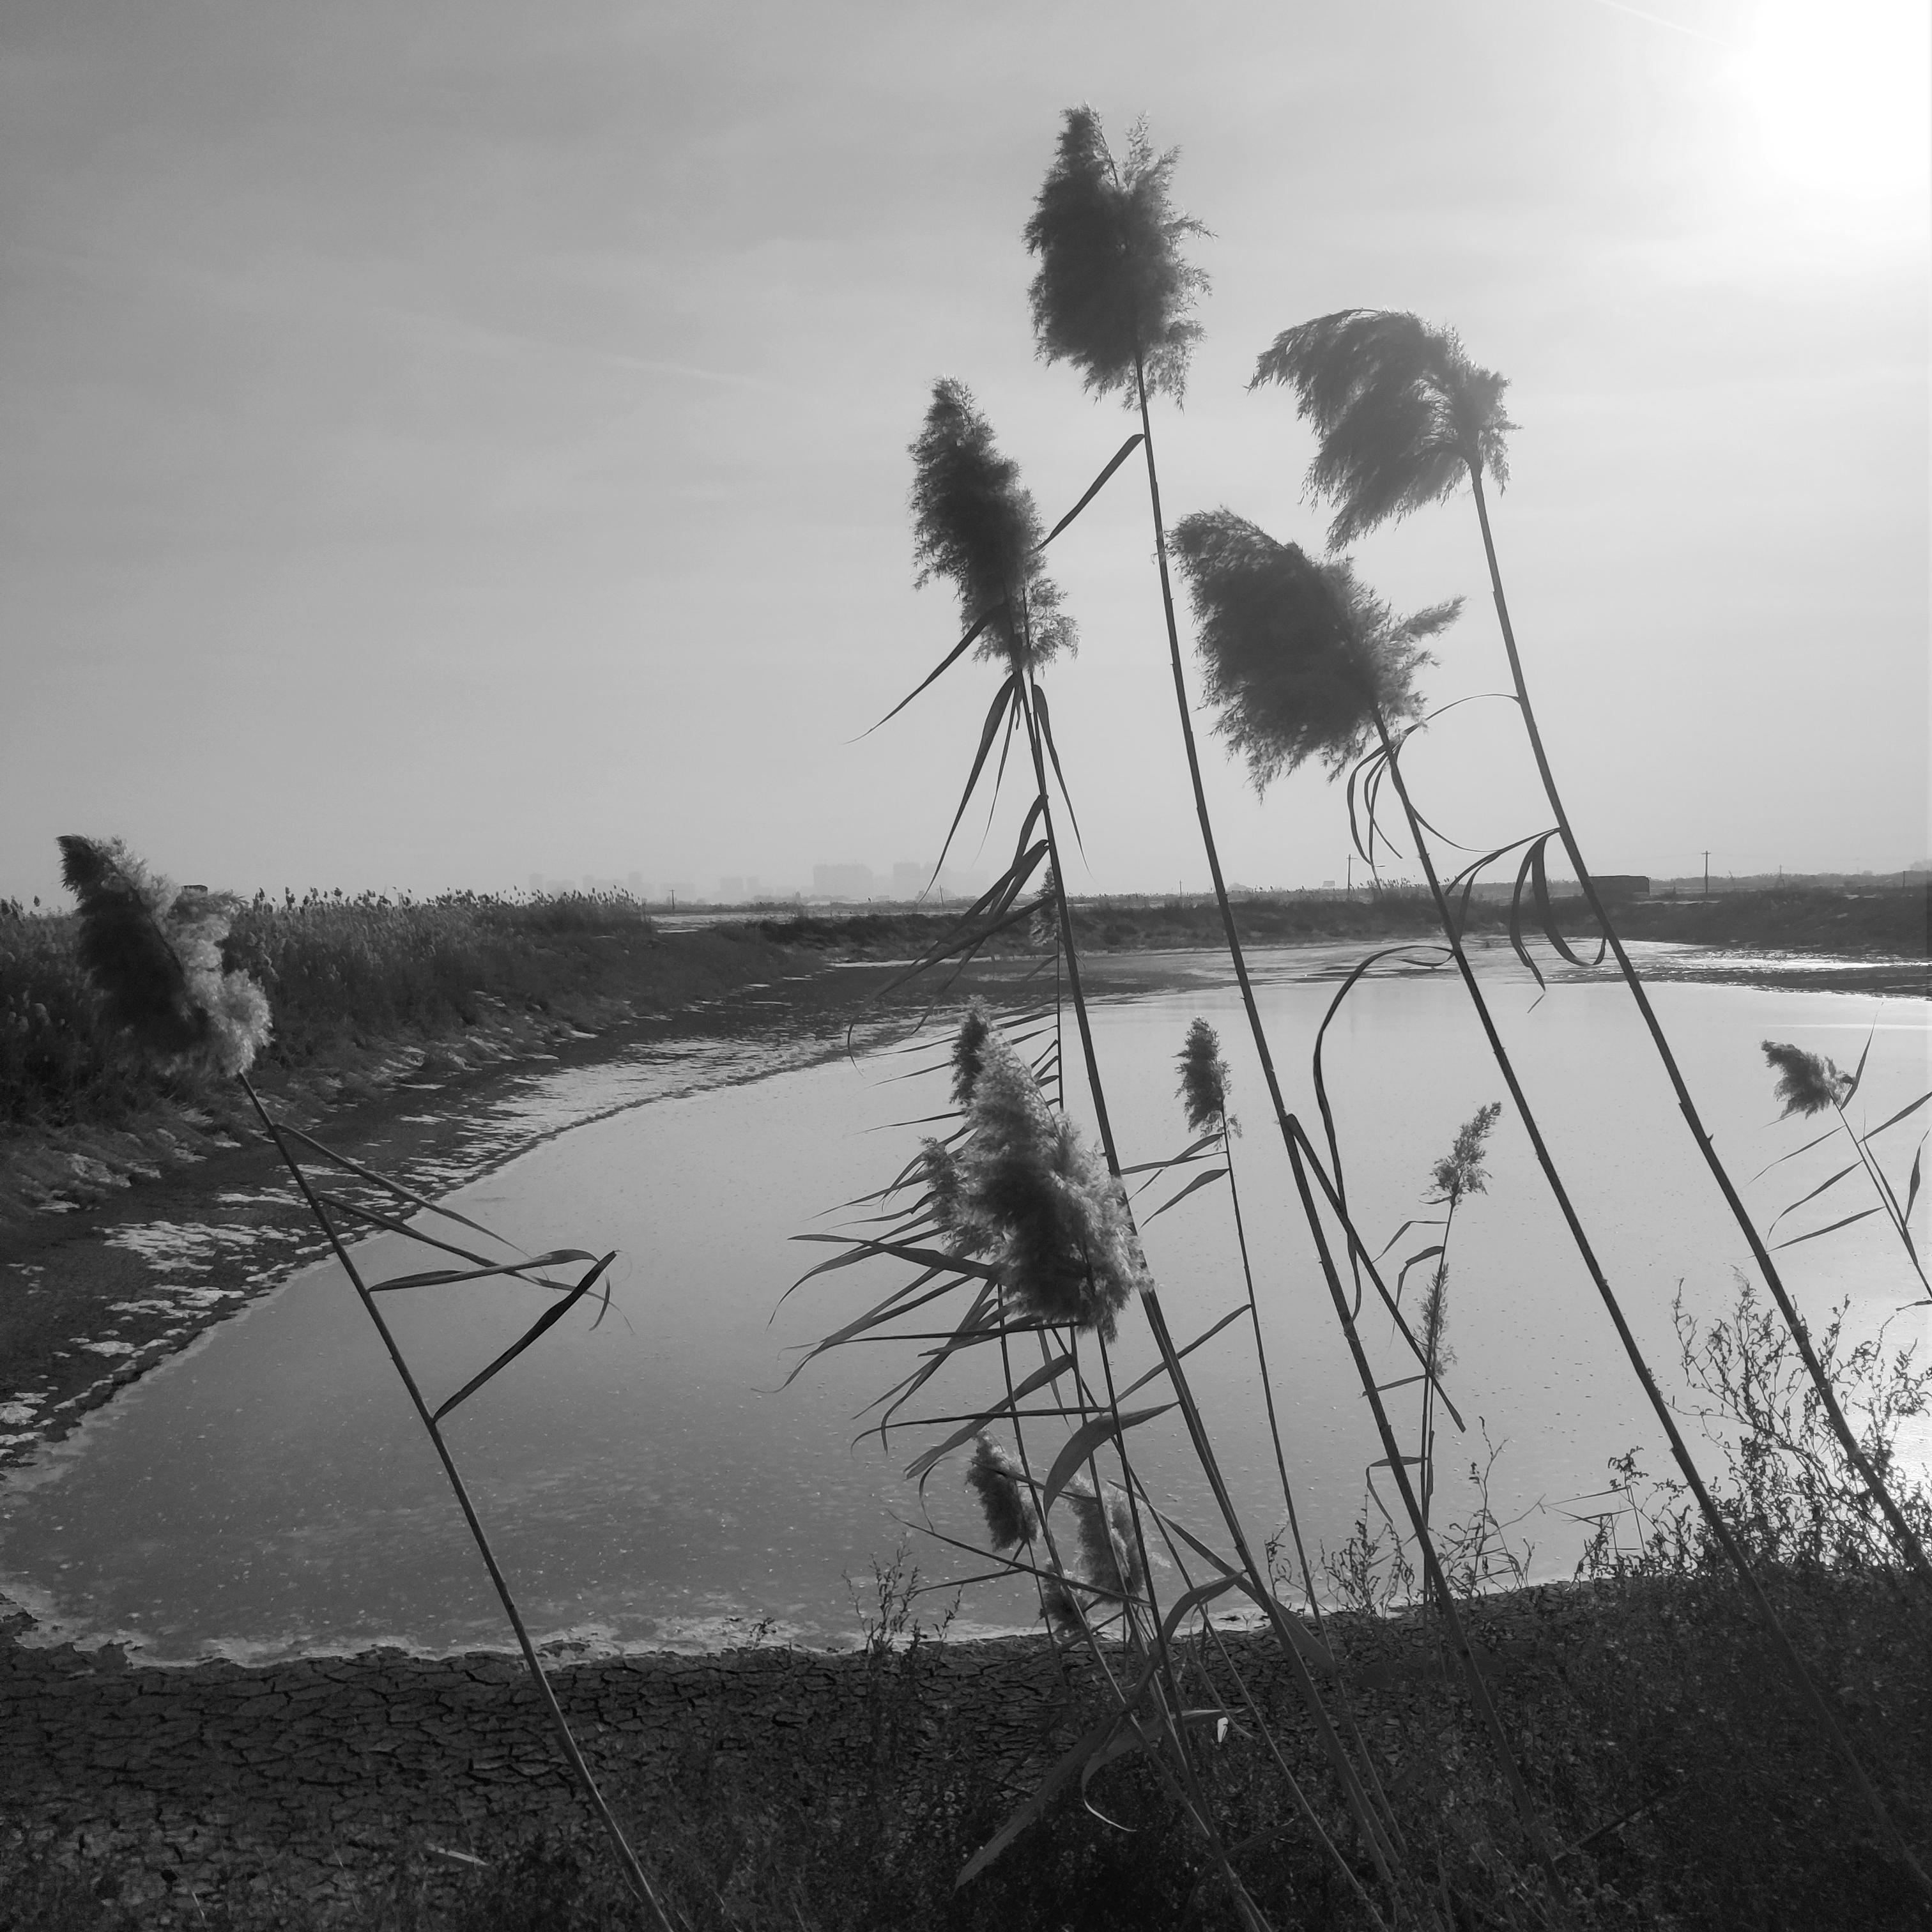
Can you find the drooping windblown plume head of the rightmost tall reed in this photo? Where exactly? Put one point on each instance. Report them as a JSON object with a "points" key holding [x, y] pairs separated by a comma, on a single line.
{"points": [[1402, 412]]}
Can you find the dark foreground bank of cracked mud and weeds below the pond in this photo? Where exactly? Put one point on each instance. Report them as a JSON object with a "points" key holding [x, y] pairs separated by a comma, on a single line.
{"points": [[768, 1788]]}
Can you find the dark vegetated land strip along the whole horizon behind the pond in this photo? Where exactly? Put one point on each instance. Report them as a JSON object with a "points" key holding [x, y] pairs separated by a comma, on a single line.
{"points": [[355, 982]]}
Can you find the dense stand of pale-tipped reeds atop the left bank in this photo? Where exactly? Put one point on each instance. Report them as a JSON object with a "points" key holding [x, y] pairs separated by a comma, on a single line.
{"points": [[341, 971]]}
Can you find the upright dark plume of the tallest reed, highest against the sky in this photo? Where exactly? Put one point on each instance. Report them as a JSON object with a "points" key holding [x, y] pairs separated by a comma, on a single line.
{"points": [[1114, 291]]}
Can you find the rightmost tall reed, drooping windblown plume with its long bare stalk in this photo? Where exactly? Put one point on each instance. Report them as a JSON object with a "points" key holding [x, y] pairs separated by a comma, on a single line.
{"points": [[1404, 418]]}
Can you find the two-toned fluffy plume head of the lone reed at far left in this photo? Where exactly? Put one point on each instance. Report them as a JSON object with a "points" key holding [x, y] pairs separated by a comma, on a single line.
{"points": [[156, 957]]}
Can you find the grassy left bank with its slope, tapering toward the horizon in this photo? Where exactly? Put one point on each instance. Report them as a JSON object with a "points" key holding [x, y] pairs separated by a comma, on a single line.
{"points": [[366, 992]]}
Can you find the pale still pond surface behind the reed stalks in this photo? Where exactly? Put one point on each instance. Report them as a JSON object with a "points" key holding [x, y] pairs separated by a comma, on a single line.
{"points": [[648, 1481]]}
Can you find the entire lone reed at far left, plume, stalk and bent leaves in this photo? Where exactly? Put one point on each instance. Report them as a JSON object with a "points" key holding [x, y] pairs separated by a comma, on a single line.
{"points": [[154, 957]]}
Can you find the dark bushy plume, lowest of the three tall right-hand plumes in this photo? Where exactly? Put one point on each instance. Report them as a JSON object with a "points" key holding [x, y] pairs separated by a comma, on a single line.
{"points": [[1301, 658]]}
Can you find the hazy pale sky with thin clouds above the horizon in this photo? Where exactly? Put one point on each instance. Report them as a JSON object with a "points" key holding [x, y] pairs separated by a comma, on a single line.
{"points": [[465, 441]]}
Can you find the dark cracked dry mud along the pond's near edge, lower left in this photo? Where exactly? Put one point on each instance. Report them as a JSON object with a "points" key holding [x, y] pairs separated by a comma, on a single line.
{"points": [[302, 1782]]}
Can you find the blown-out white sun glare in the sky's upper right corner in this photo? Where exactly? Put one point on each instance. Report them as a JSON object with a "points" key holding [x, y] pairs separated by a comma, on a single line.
{"points": [[1838, 92]]}
